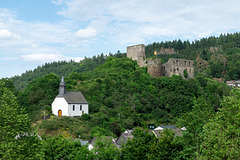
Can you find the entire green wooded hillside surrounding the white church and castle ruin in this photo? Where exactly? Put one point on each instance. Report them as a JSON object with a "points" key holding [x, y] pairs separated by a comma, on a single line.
{"points": [[122, 96]]}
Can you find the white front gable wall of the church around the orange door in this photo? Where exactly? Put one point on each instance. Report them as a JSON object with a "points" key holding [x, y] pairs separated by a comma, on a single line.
{"points": [[60, 103]]}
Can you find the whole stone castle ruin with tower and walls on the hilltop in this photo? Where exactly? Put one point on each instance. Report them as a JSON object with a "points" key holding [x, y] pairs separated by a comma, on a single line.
{"points": [[156, 68]]}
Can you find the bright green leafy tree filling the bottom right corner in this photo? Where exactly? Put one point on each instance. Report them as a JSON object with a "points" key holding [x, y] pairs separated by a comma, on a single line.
{"points": [[221, 133]]}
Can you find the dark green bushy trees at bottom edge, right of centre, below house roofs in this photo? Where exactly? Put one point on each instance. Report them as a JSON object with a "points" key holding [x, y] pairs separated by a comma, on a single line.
{"points": [[146, 145]]}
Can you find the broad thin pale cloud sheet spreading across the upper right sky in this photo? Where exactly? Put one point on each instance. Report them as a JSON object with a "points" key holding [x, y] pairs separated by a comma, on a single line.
{"points": [[157, 18]]}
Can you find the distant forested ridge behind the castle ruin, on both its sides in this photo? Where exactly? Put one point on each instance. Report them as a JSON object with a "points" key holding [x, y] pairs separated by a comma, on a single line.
{"points": [[214, 56]]}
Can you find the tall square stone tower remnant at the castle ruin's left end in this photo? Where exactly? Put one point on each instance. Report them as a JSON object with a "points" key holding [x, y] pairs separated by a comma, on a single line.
{"points": [[137, 52]]}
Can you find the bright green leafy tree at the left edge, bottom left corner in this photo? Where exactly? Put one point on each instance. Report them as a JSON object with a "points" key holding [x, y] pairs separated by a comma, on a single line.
{"points": [[16, 141]]}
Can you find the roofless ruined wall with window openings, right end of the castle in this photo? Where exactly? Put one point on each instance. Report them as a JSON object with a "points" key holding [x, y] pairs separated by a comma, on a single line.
{"points": [[177, 67]]}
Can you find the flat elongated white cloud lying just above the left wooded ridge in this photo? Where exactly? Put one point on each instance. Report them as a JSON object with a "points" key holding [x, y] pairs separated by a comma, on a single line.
{"points": [[42, 58]]}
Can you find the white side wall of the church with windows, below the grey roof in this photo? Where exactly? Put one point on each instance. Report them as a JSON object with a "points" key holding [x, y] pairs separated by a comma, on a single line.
{"points": [[77, 111]]}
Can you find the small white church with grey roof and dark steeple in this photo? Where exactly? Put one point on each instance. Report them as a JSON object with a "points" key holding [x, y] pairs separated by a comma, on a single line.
{"points": [[69, 103]]}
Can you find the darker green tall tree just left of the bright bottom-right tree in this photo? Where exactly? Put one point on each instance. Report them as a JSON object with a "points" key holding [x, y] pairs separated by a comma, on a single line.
{"points": [[194, 122]]}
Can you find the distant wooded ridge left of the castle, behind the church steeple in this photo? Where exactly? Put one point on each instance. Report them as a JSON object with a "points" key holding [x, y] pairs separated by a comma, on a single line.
{"points": [[62, 68]]}
